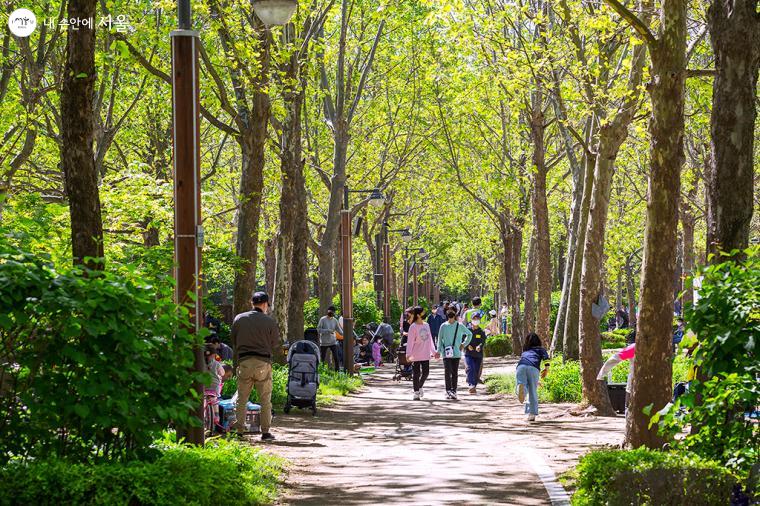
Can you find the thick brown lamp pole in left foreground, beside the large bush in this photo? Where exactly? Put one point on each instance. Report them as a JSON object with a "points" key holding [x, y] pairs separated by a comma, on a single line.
{"points": [[188, 233]]}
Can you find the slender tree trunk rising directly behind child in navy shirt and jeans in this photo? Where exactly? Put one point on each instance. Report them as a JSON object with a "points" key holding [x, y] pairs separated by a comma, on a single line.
{"points": [[542, 249]]}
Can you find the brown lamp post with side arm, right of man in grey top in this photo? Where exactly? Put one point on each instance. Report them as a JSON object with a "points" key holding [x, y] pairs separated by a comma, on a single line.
{"points": [[347, 275]]}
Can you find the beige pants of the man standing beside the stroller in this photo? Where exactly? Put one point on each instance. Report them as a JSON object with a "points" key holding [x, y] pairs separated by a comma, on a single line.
{"points": [[253, 371]]}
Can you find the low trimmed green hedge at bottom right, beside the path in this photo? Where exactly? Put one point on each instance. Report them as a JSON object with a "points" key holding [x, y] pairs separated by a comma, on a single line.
{"points": [[643, 476]]}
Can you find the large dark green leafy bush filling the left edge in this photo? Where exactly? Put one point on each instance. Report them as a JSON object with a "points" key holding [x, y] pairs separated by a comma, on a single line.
{"points": [[93, 366]]}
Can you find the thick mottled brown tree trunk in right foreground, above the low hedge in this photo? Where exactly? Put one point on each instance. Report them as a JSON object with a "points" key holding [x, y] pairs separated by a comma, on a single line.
{"points": [[652, 381]]}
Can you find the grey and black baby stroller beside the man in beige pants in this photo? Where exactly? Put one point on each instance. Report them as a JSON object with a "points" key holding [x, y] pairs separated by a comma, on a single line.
{"points": [[303, 376]]}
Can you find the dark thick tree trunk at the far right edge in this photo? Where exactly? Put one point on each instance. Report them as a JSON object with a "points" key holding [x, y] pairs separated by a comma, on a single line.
{"points": [[735, 37]]}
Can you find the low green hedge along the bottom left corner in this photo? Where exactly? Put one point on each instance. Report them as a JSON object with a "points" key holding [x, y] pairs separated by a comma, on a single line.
{"points": [[222, 472]]}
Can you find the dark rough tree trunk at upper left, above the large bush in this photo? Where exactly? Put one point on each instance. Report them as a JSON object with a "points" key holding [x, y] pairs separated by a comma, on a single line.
{"points": [[77, 131]]}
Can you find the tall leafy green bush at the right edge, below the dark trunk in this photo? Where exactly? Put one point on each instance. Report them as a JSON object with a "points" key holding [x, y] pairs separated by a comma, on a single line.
{"points": [[726, 321]]}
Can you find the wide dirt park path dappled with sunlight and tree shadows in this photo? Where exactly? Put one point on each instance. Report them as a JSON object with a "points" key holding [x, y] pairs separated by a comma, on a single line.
{"points": [[378, 446]]}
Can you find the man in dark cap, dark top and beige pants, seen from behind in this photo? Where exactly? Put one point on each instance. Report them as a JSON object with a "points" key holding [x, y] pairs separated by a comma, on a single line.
{"points": [[255, 338]]}
